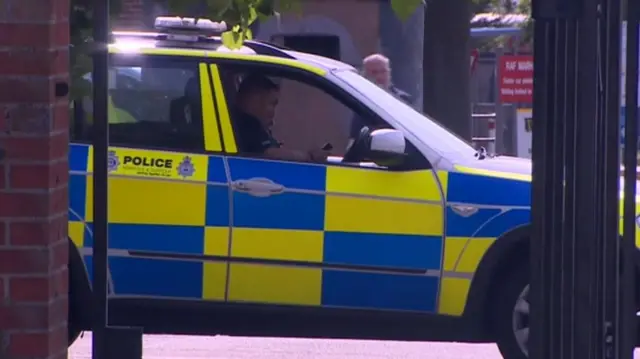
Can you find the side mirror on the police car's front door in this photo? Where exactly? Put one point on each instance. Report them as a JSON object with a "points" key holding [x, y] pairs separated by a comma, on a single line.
{"points": [[387, 147]]}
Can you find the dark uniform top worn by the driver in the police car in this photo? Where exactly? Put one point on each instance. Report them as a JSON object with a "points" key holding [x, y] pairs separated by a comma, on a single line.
{"points": [[252, 136]]}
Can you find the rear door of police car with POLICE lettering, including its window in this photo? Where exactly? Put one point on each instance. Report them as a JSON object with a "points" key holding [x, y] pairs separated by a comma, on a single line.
{"points": [[168, 200]]}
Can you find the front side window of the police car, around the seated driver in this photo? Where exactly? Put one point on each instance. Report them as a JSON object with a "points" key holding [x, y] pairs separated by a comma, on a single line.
{"points": [[307, 115]]}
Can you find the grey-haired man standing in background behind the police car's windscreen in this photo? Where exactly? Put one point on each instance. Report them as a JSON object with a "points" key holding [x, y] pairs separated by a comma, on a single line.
{"points": [[377, 68]]}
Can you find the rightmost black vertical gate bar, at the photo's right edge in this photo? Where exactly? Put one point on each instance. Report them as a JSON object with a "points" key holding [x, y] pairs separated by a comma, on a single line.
{"points": [[628, 328]]}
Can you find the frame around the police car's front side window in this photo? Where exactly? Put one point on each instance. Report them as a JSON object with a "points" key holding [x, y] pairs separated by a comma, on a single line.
{"points": [[415, 159]]}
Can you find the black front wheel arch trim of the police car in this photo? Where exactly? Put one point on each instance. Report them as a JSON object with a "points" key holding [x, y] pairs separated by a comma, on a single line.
{"points": [[508, 250]]}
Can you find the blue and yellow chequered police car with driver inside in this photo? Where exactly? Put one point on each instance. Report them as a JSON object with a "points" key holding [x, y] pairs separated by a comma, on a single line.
{"points": [[413, 238]]}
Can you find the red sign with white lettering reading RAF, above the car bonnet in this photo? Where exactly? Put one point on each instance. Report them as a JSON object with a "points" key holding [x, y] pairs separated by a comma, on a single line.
{"points": [[515, 78]]}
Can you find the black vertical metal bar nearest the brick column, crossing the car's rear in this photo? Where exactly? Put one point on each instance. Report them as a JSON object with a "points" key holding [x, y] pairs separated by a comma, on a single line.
{"points": [[100, 185]]}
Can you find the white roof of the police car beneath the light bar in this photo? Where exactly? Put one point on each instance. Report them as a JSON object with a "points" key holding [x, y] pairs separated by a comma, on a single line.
{"points": [[148, 40]]}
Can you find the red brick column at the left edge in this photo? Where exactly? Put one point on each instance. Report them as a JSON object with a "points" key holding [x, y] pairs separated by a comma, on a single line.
{"points": [[34, 39]]}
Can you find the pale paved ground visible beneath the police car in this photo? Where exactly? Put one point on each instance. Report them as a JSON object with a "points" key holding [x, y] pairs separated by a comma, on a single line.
{"points": [[183, 347]]}
